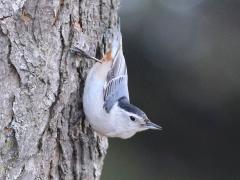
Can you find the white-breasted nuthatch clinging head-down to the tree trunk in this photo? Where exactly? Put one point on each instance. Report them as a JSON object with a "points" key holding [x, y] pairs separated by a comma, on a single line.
{"points": [[106, 101]]}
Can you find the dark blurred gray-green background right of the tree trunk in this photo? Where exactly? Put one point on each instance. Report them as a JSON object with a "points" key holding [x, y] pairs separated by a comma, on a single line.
{"points": [[183, 61]]}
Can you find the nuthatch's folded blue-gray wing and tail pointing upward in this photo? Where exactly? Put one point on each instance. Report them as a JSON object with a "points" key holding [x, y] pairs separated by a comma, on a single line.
{"points": [[117, 78]]}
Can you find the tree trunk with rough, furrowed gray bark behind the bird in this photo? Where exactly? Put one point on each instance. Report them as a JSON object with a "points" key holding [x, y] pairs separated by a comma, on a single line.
{"points": [[43, 134]]}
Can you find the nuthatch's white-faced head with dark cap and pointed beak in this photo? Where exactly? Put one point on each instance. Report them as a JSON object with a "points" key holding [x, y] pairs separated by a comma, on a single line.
{"points": [[130, 119]]}
